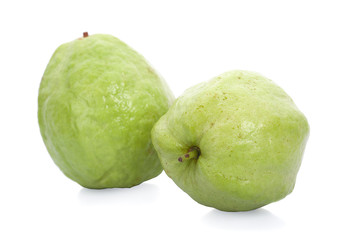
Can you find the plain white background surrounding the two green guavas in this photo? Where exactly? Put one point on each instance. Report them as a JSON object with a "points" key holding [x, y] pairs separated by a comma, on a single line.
{"points": [[302, 45]]}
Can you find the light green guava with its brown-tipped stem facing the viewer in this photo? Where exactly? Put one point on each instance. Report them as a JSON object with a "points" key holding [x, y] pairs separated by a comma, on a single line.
{"points": [[234, 143]]}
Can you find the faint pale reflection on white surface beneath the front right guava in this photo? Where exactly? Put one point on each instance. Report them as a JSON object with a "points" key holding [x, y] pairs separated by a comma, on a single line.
{"points": [[259, 219]]}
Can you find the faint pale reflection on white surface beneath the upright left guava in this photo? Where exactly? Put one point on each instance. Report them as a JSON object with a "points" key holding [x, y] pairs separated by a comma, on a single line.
{"points": [[140, 194]]}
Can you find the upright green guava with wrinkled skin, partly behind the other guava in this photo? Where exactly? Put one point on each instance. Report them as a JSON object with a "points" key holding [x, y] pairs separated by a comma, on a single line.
{"points": [[98, 101]]}
